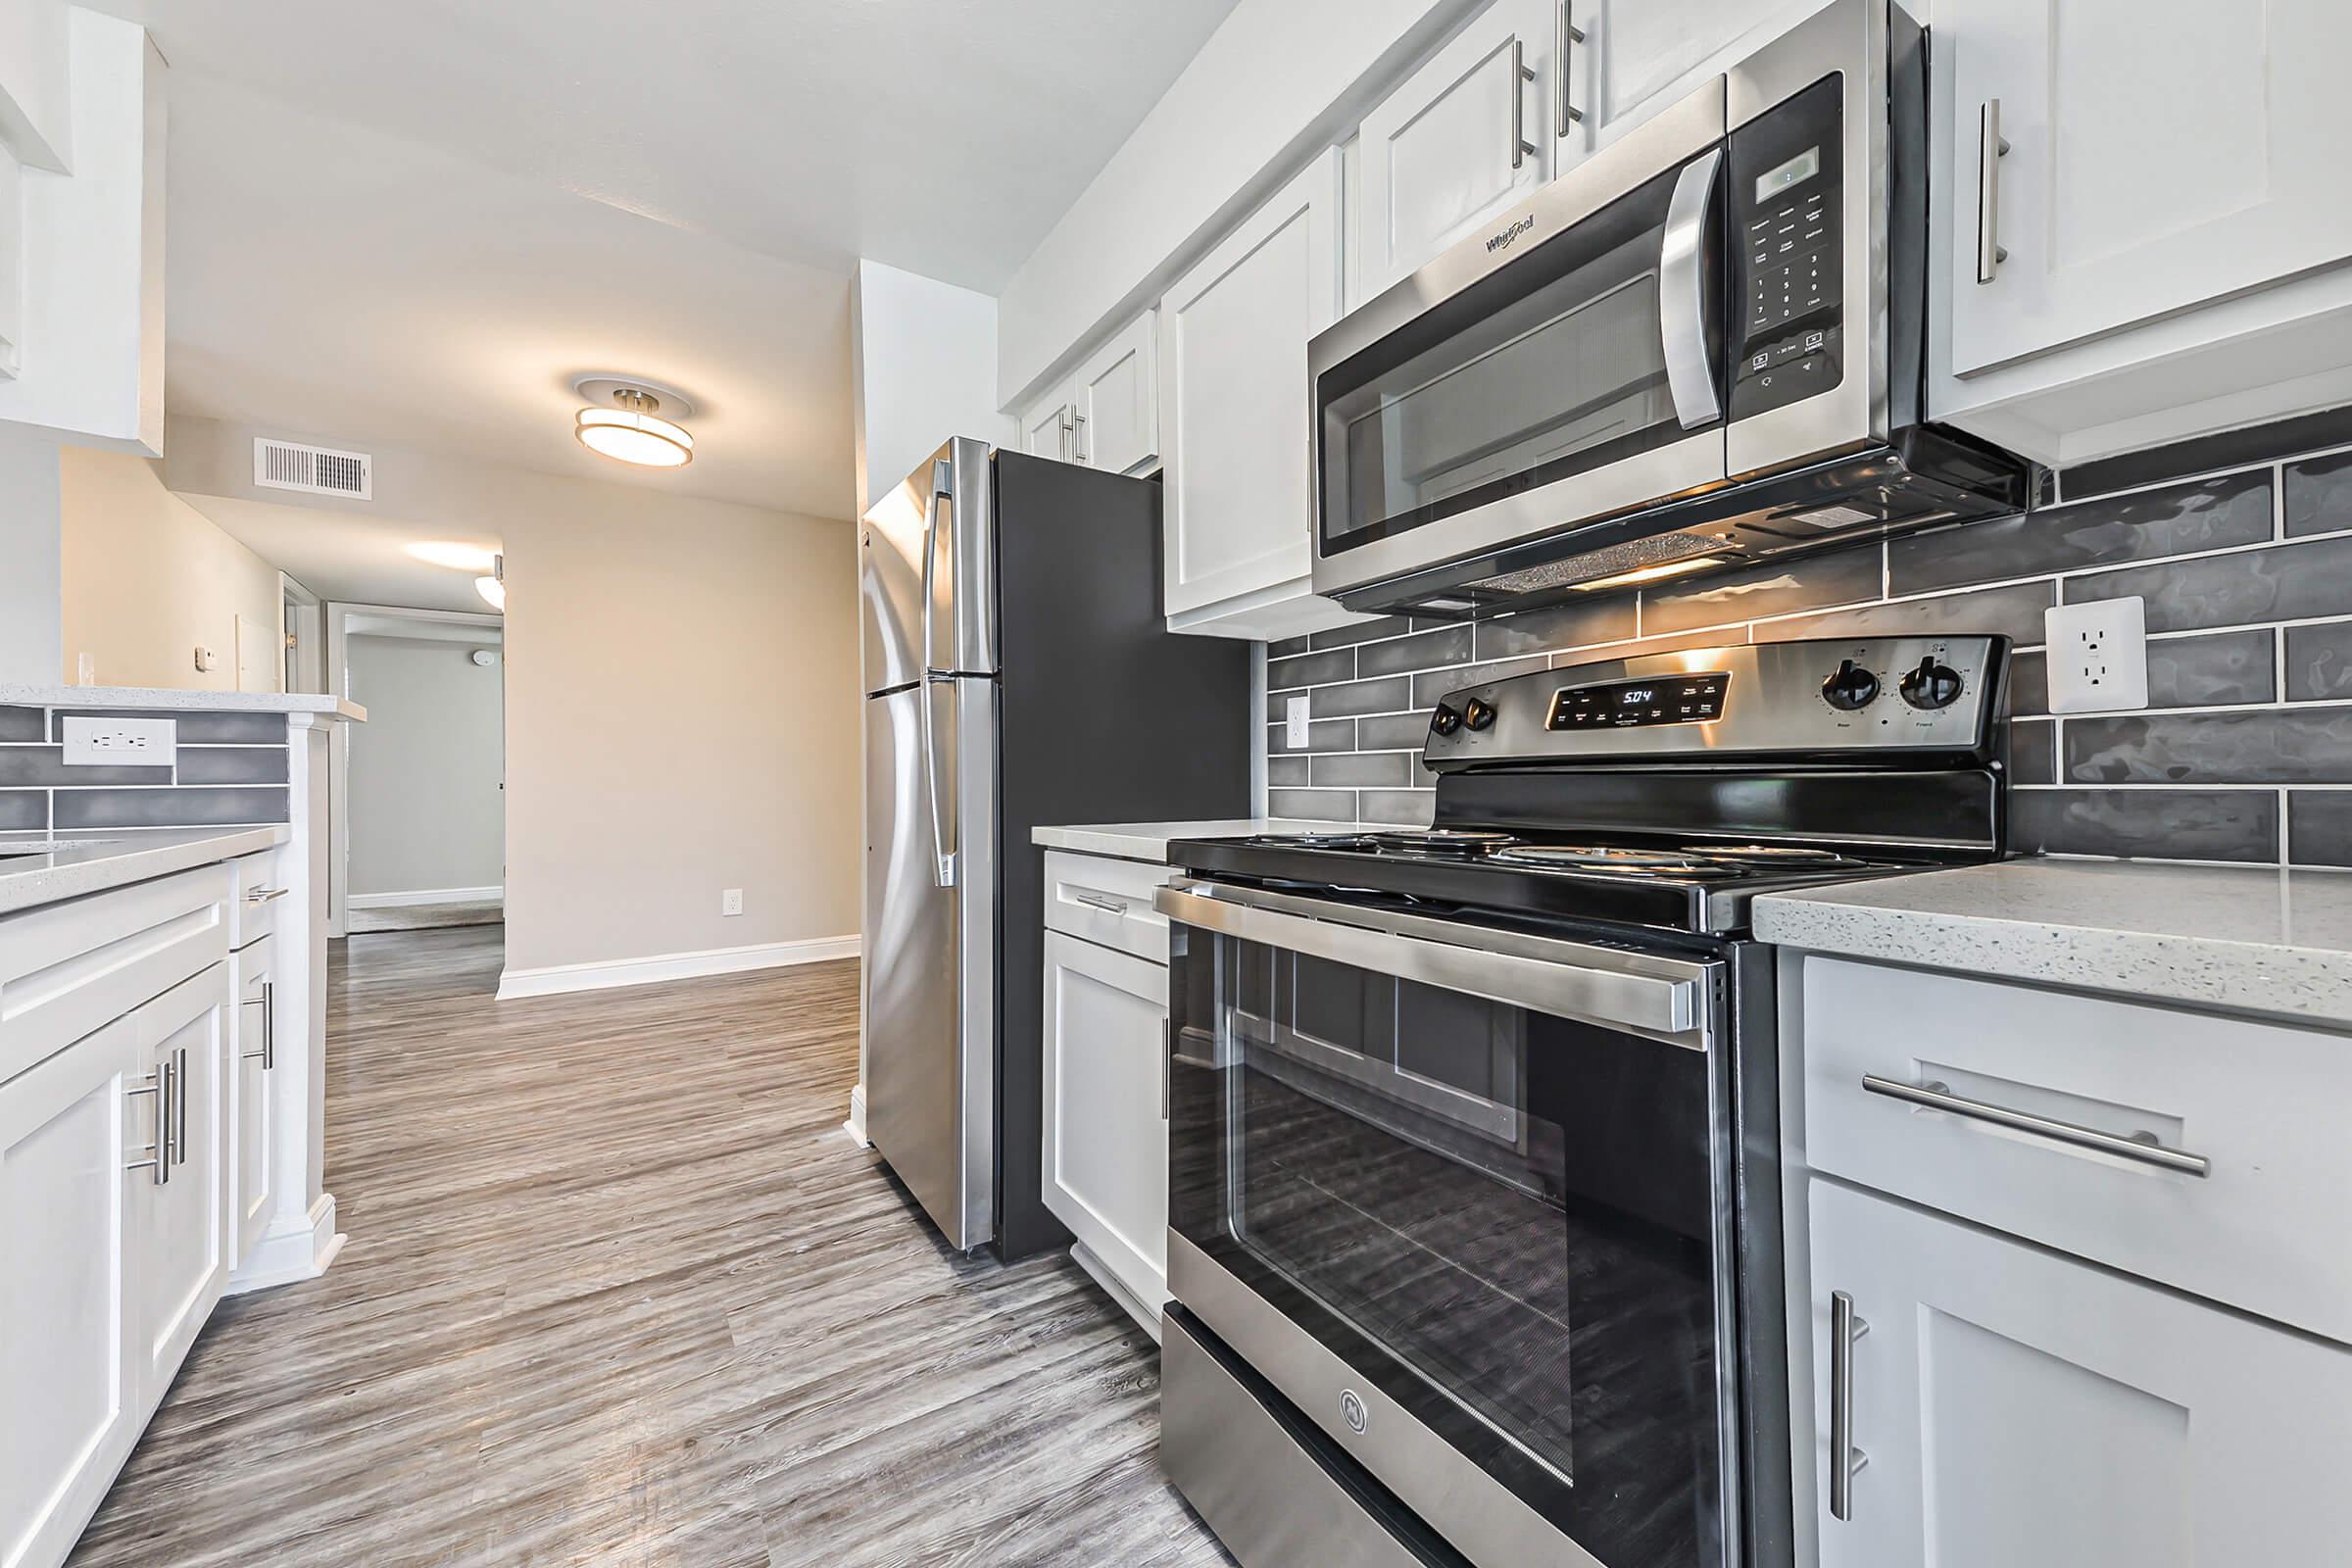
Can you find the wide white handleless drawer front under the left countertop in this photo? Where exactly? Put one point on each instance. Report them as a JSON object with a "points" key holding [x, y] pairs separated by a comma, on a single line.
{"points": [[76, 967]]}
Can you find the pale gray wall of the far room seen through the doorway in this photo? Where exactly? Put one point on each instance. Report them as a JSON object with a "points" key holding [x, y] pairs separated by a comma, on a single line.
{"points": [[427, 810]]}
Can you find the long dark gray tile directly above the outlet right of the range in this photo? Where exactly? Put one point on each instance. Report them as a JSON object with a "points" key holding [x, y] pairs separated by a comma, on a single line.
{"points": [[2137, 528]]}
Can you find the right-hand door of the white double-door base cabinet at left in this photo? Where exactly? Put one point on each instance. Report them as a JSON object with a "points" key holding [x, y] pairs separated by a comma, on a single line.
{"points": [[182, 1226]]}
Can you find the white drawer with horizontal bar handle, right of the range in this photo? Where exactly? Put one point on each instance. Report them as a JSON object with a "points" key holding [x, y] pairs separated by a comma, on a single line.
{"points": [[2261, 1106]]}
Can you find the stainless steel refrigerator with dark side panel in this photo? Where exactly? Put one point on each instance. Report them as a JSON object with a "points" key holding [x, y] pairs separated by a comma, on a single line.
{"points": [[1017, 674]]}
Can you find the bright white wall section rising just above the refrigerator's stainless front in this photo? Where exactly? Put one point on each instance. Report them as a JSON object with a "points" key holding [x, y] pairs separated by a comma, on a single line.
{"points": [[923, 370]]}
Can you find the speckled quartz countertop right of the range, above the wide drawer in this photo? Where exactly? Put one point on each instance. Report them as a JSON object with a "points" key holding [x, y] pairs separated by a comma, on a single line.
{"points": [[2243, 939]]}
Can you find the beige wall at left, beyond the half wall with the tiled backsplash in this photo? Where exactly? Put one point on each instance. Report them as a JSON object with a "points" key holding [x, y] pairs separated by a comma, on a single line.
{"points": [[147, 579]]}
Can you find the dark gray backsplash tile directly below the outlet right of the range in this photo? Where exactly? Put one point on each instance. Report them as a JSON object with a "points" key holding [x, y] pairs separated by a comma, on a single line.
{"points": [[2264, 746]]}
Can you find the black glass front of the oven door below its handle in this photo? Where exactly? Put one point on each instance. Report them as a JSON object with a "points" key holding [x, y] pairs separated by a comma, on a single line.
{"points": [[1499, 1217]]}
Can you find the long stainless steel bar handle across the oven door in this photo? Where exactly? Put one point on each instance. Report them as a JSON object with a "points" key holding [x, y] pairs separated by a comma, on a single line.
{"points": [[1650, 1005]]}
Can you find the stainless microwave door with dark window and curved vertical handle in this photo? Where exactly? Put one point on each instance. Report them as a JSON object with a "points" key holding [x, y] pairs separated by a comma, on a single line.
{"points": [[1565, 368]]}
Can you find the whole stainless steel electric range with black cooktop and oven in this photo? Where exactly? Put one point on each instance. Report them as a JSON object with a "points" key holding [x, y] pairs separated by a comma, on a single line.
{"points": [[1474, 1132]]}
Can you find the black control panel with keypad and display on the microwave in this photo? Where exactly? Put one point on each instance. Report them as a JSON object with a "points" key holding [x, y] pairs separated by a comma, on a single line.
{"points": [[1789, 253]]}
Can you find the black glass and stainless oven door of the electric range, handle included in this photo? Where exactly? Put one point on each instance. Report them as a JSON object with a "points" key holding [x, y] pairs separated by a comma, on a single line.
{"points": [[1466, 1207]]}
